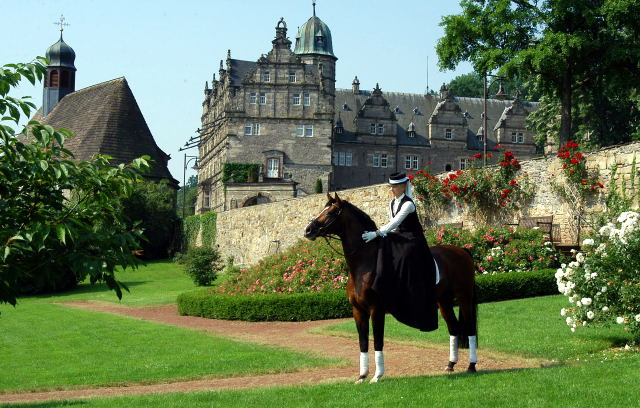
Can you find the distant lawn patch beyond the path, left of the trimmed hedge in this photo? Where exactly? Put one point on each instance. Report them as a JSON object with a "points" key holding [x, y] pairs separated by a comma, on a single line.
{"points": [[158, 282]]}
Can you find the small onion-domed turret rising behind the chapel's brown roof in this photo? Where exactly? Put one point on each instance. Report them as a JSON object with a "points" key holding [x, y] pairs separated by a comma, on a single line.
{"points": [[61, 75]]}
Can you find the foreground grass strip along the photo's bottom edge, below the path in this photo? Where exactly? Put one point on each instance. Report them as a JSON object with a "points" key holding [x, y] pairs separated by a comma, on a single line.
{"points": [[611, 383]]}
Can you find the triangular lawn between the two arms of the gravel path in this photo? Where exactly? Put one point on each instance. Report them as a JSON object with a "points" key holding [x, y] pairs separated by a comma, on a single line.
{"points": [[46, 346]]}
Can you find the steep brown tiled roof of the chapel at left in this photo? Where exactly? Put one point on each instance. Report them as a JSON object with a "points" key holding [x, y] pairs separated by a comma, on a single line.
{"points": [[105, 118]]}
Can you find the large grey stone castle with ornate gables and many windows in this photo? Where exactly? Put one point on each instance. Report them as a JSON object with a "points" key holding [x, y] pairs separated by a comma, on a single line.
{"points": [[284, 114]]}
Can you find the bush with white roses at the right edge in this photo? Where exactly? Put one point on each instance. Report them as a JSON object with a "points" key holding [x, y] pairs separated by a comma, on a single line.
{"points": [[602, 284]]}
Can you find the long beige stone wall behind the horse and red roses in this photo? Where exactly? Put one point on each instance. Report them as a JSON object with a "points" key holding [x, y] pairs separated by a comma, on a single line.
{"points": [[251, 233]]}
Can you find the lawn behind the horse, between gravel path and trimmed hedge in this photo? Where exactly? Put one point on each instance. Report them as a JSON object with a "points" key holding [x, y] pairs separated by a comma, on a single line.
{"points": [[529, 327]]}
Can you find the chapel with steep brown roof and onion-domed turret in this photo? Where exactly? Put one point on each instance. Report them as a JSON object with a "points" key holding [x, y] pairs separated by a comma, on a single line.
{"points": [[105, 118]]}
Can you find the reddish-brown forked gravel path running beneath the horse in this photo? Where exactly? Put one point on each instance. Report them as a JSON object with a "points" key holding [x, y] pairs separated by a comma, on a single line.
{"points": [[400, 359]]}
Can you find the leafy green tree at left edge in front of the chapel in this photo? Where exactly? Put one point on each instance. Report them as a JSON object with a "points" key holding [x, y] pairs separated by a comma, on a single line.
{"points": [[58, 217]]}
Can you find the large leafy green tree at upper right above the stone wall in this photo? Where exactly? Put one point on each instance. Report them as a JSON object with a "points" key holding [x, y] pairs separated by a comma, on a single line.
{"points": [[574, 49]]}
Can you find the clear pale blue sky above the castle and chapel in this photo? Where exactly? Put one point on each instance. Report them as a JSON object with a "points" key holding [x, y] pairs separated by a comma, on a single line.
{"points": [[168, 49]]}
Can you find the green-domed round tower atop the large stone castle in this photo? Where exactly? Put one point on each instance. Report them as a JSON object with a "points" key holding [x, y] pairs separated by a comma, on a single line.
{"points": [[313, 44]]}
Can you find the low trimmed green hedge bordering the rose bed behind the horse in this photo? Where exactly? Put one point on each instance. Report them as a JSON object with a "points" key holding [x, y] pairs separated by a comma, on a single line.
{"points": [[331, 305]]}
